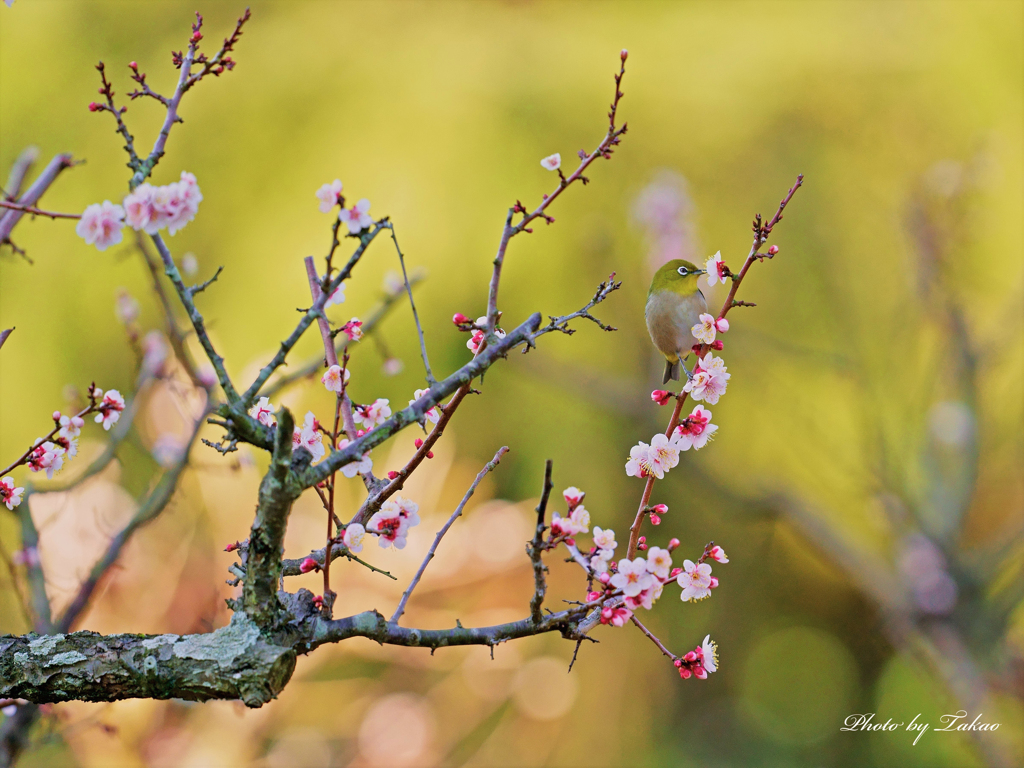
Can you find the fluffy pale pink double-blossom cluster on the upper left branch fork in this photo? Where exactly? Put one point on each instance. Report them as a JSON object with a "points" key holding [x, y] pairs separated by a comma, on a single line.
{"points": [[148, 209]]}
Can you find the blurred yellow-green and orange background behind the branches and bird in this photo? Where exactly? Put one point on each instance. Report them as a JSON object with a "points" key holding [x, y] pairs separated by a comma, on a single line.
{"points": [[867, 480]]}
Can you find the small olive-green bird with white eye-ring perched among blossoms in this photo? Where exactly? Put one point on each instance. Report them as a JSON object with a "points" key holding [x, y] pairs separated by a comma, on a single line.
{"points": [[674, 307]]}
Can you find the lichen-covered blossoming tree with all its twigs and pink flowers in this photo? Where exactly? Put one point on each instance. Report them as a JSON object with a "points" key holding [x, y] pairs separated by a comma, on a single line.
{"points": [[252, 659]]}
